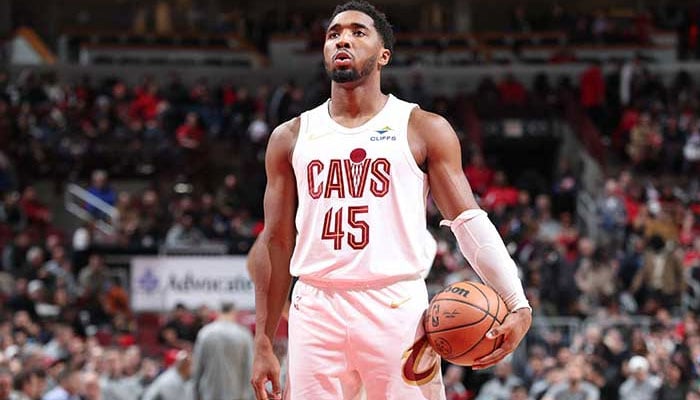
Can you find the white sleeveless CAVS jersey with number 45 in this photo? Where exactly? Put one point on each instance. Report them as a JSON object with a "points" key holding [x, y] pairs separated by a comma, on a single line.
{"points": [[361, 216]]}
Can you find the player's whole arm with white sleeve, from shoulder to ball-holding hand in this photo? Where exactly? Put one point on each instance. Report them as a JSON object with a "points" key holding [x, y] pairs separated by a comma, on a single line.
{"points": [[435, 146]]}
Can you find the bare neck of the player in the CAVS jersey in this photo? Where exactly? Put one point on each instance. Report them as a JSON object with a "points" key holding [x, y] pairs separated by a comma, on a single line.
{"points": [[357, 99]]}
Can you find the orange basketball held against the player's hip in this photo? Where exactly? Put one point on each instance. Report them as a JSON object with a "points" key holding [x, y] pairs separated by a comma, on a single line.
{"points": [[458, 319]]}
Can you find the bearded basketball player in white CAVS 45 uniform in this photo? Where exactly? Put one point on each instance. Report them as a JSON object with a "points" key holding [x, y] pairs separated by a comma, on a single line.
{"points": [[345, 213]]}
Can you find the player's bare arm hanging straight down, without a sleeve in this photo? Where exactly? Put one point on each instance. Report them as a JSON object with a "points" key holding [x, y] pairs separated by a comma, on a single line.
{"points": [[271, 258]]}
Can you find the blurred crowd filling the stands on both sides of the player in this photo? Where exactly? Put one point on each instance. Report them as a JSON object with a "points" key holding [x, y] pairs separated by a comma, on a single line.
{"points": [[65, 320]]}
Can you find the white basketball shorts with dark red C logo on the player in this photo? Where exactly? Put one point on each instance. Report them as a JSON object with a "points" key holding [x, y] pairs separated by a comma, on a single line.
{"points": [[361, 344]]}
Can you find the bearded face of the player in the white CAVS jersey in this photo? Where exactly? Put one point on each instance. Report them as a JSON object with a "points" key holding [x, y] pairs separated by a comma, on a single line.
{"points": [[353, 47]]}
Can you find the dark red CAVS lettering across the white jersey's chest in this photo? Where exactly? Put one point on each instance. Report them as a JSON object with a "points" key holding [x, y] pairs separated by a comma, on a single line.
{"points": [[349, 177]]}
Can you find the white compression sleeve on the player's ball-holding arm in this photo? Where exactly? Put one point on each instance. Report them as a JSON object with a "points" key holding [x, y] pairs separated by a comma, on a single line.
{"points": [[482, 246]]}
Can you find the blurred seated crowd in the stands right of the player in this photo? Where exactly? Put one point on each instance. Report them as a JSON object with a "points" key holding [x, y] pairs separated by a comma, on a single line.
{"points": [[631, 276]]}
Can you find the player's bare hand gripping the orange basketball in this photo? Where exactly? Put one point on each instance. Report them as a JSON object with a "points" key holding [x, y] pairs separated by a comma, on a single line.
{"points": [[513, 330]]}
